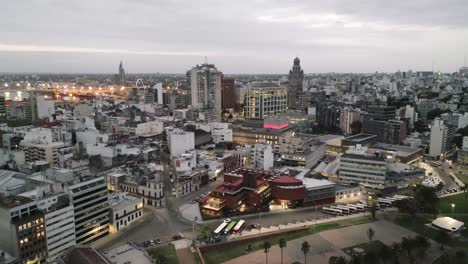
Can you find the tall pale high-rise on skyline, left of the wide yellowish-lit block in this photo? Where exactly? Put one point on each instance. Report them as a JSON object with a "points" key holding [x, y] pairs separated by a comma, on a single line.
{"points": [[205, 85]]}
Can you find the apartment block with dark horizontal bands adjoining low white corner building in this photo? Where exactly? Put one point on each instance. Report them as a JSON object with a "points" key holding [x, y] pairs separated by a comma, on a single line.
{"points": [[91, 209]]}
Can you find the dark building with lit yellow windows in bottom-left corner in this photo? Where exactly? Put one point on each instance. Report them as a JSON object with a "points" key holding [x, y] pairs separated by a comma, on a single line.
{"points": [[22, 230]]}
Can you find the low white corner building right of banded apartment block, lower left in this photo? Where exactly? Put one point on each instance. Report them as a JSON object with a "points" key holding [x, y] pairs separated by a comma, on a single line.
{"points": [[124, 210]]}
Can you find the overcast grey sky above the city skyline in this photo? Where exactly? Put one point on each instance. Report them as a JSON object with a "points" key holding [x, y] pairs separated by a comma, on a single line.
{"points": [[241, 36]]}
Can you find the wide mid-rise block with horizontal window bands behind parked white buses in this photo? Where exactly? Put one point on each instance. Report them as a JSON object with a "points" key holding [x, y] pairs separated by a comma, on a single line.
{"points": [[364, 169]]}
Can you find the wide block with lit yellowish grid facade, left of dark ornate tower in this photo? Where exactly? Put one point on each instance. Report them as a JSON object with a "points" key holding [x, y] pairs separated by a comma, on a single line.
{"points": [[264, 100]]}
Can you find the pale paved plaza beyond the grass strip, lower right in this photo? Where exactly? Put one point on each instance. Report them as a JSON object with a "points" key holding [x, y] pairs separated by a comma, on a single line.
{"points": [[330, 243]]}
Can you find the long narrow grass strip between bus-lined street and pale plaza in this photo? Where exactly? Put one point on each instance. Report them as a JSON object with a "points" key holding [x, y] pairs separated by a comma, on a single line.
{"points": [[219, 256]]}
